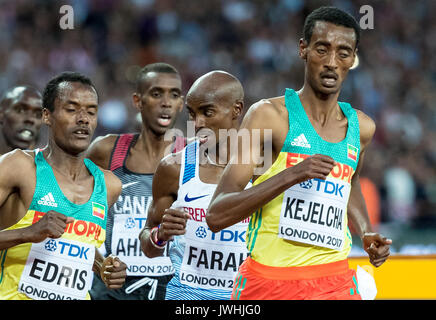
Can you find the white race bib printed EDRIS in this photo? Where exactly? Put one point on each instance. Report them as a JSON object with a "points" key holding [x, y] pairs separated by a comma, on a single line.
{"points": [[58, 269]]}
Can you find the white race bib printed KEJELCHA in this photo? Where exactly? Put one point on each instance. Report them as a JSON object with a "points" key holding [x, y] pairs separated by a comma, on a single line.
{"points": [[313, 212]]}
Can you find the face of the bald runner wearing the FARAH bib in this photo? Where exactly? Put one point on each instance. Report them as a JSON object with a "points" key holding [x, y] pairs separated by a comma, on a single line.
{"points": [[210, 114]]}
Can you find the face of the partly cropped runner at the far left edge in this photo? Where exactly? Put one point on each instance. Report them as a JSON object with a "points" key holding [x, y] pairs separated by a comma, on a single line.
{"points": [[22, 121]]}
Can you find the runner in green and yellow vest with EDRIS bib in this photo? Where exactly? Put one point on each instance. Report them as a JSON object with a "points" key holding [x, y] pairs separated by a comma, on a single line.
{"points": [[48, 249]]}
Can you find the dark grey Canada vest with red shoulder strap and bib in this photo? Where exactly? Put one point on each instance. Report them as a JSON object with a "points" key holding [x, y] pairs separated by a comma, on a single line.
{"points": [[126, 219]]}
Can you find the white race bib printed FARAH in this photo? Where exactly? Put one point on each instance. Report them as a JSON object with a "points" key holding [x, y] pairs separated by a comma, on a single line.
{"points": [[211, 260]]}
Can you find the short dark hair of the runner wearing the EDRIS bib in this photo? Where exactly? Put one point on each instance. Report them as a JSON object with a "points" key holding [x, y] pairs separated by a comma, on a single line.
{"points": [[51, 90]]}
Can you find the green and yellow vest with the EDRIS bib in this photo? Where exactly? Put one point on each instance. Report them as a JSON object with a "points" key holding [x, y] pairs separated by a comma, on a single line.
{"points": [[56, 269]]}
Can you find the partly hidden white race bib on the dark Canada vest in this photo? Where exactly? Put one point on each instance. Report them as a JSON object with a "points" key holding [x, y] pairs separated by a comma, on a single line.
{"points": [[127, 246]]}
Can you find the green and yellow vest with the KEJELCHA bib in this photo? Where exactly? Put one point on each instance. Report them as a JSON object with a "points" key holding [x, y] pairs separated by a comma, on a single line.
{"points": [[307, 224]]}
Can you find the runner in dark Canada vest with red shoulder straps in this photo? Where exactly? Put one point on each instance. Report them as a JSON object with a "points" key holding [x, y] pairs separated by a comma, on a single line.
{"points": [[133, 158]]}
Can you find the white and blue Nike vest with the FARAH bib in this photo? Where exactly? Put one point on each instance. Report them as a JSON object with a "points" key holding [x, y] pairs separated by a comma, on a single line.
{"points": [[205, 263]]}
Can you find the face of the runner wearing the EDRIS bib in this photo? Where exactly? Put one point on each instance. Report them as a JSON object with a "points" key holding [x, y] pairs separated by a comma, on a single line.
{"points": [[74, 118]]}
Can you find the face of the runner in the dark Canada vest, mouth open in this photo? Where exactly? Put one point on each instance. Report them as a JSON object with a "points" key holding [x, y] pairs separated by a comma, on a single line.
{"points": [[160, 101]]}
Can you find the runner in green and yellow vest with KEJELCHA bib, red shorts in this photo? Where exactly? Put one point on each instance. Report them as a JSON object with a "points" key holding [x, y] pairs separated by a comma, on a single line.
{"points": [[298, 236]]}
